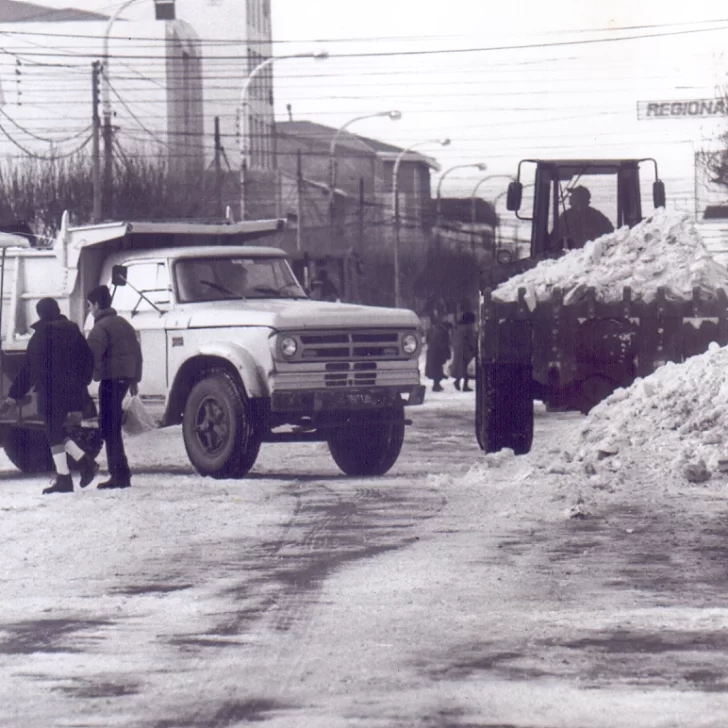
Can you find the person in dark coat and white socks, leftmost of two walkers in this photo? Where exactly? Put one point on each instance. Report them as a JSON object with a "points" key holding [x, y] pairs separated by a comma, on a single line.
{"points": [[58, 364]]}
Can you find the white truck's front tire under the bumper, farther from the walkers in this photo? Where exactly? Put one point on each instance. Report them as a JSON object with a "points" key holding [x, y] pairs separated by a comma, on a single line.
{"points": [[368, 443]]}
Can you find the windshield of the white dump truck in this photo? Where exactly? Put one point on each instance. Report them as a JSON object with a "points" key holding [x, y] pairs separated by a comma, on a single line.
{"points": [[239, 278]]}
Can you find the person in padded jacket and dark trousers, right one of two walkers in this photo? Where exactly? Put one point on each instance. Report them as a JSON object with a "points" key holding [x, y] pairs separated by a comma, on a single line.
{"points": [[117, 365]]}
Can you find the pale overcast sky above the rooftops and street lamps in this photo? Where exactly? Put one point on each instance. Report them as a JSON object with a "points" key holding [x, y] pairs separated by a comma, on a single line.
{"points": [[502, 80]]}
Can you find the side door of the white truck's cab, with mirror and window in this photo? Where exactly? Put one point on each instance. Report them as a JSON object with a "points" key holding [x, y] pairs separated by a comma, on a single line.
{"points": [[151, 277]]}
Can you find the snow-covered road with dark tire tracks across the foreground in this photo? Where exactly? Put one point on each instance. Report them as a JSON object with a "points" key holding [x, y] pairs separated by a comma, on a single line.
{"points": [[453, 592]]}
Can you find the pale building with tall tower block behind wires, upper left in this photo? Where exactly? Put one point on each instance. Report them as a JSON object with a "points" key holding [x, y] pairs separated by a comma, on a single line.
{"points": [[172, 87]]}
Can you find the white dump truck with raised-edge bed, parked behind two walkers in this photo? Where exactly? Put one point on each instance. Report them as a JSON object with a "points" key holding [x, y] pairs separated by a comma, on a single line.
{"points": [[233, 347]]}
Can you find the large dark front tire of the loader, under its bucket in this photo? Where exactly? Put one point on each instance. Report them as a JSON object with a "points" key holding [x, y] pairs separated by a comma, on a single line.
{"points": [[504, 407]]}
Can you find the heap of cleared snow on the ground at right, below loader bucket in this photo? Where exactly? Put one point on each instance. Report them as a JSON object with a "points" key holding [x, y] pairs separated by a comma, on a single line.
{"points": [[671, 426]]}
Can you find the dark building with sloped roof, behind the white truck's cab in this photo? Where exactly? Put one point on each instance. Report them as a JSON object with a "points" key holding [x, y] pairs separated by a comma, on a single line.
{"points": [[351, 228]]}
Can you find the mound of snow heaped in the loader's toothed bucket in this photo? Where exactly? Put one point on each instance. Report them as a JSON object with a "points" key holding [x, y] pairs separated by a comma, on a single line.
{"points": [[662, 251]]}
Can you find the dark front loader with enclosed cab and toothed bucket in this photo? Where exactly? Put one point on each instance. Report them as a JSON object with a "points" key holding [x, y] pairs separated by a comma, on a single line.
{"points": [[572, 352]]}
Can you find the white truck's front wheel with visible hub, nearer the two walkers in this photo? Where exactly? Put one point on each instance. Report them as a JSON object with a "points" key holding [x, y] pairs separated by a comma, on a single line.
{"points": [[221, 438]]}
